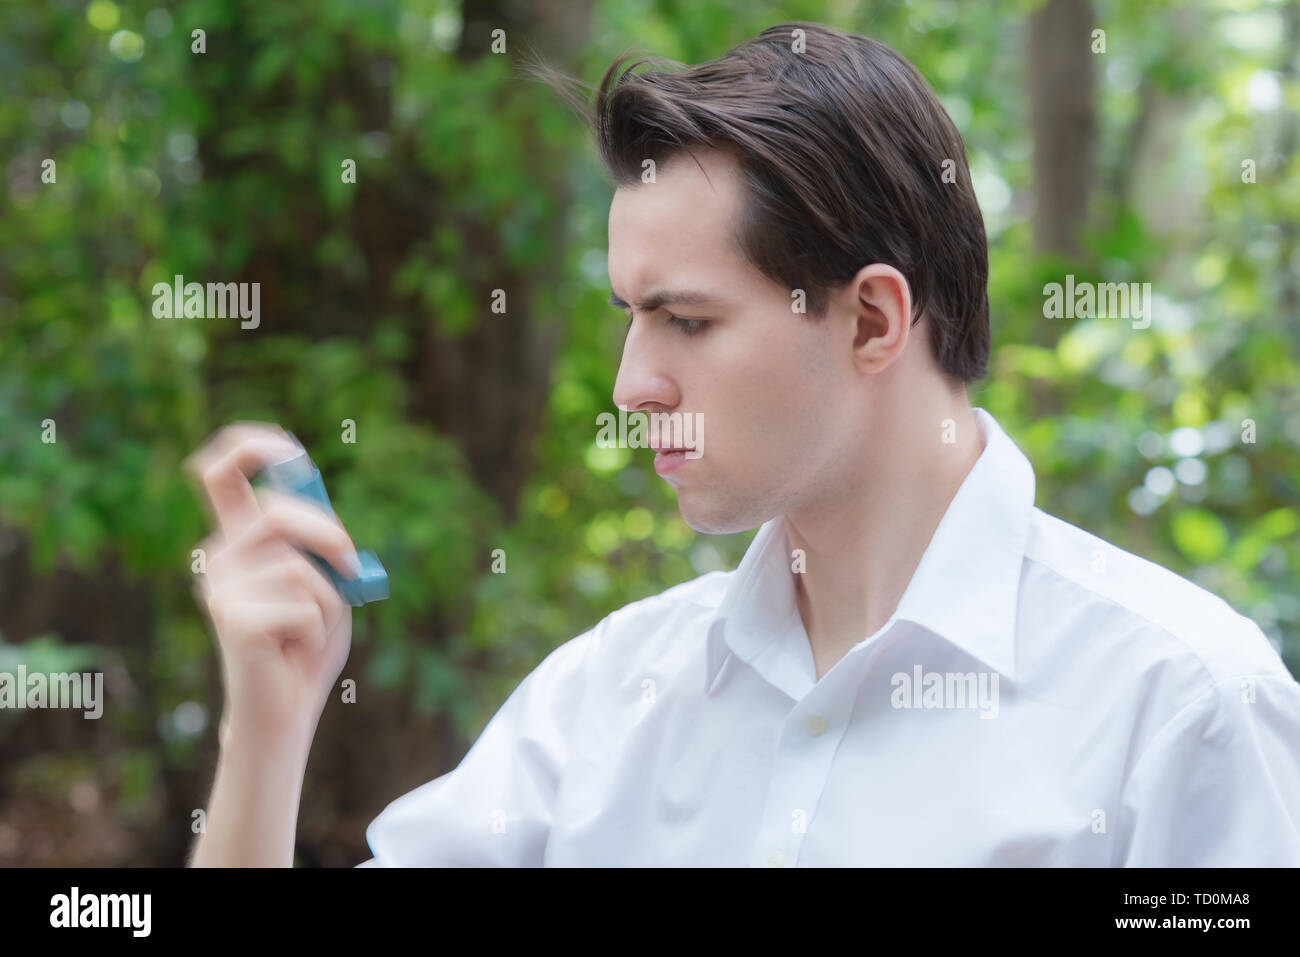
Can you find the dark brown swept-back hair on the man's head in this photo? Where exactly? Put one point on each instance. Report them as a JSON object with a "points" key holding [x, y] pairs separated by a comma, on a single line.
{"points": [[843, 148]]}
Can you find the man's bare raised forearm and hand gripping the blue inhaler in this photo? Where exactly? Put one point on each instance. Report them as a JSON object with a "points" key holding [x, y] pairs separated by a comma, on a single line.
{"points": [[283, 633]]}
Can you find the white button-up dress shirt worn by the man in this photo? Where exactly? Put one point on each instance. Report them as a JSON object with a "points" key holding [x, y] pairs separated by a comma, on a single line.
{"points": [[1039, 698]]}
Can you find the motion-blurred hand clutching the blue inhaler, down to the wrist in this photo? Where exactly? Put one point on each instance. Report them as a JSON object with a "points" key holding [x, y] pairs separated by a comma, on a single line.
{"points": [[283, 630]]}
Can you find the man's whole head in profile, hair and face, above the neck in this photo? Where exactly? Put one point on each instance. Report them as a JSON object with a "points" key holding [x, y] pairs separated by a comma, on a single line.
{"points": [[827, 177]]}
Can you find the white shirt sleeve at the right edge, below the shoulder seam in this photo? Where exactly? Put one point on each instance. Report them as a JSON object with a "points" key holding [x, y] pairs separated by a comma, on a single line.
{"points": [[1220, 783]]}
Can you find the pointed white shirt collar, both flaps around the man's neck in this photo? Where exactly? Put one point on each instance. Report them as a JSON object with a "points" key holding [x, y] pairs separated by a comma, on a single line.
{"points": [[965, 590]]}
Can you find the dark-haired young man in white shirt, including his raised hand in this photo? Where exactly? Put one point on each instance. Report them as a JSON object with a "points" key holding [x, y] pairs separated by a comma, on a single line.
{"points": [[912, 665]]}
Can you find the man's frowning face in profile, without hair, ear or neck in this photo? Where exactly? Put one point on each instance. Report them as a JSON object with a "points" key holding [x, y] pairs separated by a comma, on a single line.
{"points": [[770, 388]]}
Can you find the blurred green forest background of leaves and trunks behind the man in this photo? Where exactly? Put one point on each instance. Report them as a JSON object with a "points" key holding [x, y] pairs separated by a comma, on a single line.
{"points": [[1167, 157]]}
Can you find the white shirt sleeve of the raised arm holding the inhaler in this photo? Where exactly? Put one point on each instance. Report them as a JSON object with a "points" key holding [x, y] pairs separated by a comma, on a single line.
{"points": [[496, 808]]}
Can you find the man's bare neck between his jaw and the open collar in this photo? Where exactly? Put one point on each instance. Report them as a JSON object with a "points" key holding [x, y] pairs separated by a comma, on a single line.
{"points": [[863, 548]]}
